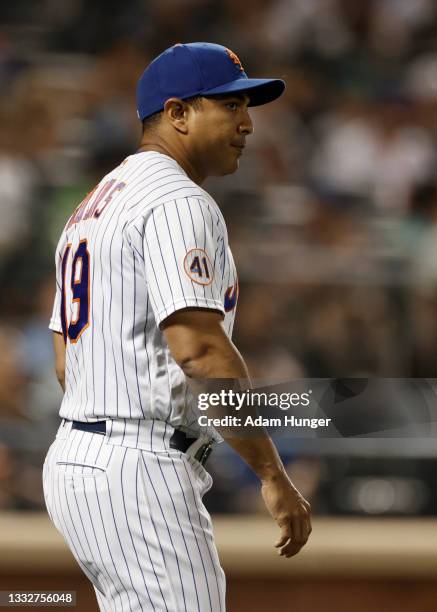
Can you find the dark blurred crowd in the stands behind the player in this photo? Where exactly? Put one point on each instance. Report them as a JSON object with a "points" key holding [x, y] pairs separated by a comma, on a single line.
{"points": [[332, 216]]}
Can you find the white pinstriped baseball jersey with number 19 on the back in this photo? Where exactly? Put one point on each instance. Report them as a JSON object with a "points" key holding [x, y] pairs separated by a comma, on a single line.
{"points": [[146, 242]]}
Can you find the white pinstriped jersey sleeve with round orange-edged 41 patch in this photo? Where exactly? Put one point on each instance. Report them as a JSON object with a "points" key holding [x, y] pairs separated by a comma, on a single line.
{"points": [[183, 250]]}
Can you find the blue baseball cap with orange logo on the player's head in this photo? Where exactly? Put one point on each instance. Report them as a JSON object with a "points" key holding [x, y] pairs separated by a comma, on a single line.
{"points": [[199, 69]]}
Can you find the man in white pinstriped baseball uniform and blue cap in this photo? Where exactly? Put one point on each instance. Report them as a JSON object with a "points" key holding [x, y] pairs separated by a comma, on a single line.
{"points": [[145, 303]]}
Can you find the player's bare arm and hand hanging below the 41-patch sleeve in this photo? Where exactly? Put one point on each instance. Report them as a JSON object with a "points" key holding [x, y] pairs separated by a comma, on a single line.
{"points": [[202, 349]]}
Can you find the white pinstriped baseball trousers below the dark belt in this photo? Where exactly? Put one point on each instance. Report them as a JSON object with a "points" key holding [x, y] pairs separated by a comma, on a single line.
{"points": [[134, 519]]}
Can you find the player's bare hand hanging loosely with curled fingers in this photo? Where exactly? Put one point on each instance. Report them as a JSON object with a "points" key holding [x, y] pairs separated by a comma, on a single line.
{"points": [[290, 510]]}
